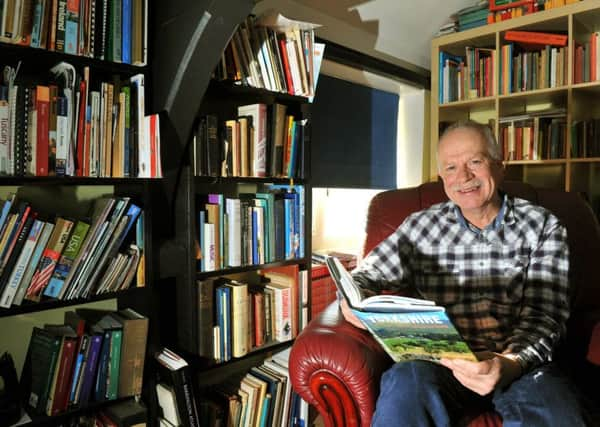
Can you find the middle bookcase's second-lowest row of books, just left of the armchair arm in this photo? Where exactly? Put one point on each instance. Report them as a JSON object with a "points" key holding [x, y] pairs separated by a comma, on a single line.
{"points": [[236, 316]]}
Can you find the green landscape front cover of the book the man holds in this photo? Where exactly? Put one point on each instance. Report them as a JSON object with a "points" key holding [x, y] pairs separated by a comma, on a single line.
{"points": [[420, 335]]}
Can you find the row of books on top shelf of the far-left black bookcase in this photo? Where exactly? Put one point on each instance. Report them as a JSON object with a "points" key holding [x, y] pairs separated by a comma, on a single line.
{"points": [[112, 30]]}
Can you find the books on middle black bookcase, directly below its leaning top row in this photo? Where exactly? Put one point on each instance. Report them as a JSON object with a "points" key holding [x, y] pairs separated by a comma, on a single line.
{"points": [[263, 140]]}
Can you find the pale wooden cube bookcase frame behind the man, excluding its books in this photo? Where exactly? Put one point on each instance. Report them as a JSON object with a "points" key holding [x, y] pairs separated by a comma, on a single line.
{"points": [[578, 21]]}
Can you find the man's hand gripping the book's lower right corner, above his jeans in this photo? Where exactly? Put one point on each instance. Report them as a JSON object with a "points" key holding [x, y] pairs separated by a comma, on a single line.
{"points": [[484, 376]]}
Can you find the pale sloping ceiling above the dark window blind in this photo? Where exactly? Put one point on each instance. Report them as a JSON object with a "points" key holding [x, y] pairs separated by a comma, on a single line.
{"points": [[398, 31]]}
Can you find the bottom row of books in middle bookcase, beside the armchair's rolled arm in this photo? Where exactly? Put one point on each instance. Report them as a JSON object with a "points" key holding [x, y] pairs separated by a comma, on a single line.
{"points": [[263, 396]]}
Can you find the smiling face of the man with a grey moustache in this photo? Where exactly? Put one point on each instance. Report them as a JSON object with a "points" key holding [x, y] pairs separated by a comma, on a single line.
{"points": [[470, 176]]}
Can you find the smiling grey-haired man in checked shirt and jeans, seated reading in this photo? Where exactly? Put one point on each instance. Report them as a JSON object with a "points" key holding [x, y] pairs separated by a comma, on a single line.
{"points": [[499, 265]]}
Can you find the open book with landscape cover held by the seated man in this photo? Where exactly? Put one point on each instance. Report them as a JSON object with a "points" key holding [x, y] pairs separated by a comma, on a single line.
{"points": [[407, 328]]}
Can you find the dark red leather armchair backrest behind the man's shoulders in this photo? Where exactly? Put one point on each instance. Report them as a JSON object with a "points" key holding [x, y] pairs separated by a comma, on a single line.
{"points": [[388, 209]]}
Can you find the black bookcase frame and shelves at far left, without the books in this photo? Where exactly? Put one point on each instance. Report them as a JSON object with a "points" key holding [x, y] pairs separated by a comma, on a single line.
{"points": [[71, 196]]}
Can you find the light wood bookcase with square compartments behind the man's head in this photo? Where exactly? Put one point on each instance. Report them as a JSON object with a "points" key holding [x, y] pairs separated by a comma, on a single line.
{"points": [[569, 168]]}
